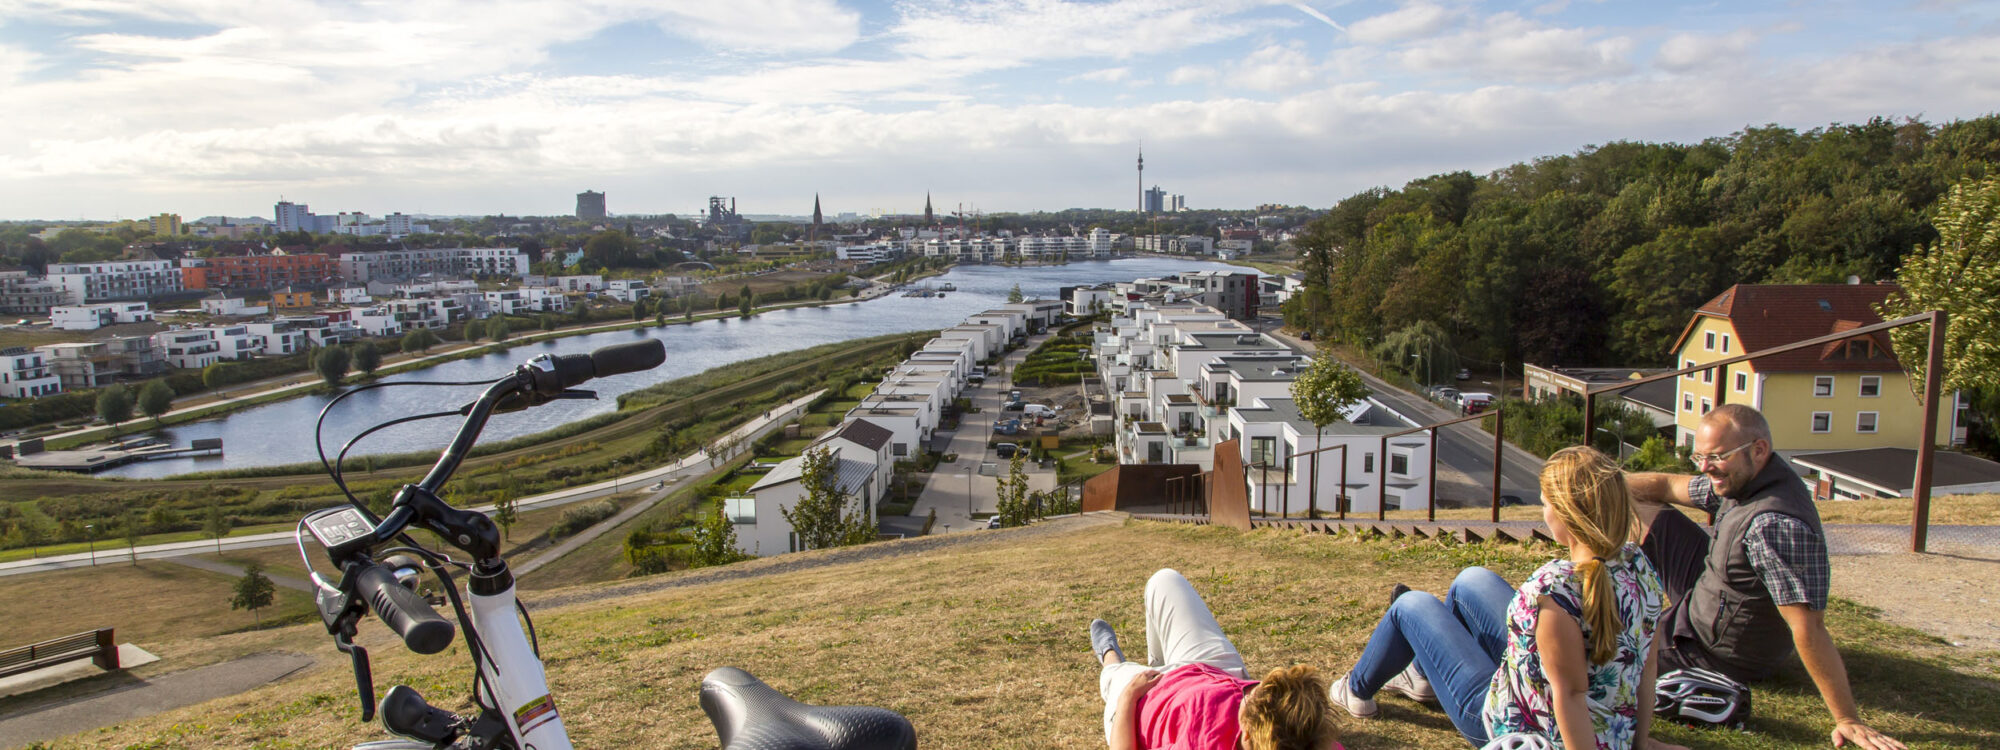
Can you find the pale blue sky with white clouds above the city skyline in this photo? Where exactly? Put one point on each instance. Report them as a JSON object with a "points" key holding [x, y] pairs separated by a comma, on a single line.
{"points": [[121, 109]]}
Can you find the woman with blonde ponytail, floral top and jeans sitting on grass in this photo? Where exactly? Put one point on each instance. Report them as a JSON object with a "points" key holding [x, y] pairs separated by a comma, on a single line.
{"points": [[1569, 657]]}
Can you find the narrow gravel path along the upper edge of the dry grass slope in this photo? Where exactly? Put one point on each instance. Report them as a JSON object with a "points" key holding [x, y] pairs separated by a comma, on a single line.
{"points": [[821, 559]]}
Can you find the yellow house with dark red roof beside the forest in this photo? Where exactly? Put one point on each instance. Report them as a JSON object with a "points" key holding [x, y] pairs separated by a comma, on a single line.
{"points": [[1839, 397]]}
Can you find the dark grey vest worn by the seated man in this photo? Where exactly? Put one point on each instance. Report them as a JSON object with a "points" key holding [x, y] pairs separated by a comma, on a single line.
{"points": [[1731, 611]]}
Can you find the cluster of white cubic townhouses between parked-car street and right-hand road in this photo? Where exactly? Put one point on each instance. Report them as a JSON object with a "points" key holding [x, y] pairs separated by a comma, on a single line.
{"points": [[1189, 381]]}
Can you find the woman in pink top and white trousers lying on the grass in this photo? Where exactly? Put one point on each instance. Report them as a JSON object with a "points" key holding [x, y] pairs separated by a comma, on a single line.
{"points": [[1195, 691]]}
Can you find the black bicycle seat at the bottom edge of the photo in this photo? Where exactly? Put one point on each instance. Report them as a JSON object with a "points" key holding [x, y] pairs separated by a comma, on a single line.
{"points": [[749, 715]]}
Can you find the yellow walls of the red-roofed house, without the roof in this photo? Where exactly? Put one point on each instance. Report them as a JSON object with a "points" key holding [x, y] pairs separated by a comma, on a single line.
{"points": [[1807, 411]]}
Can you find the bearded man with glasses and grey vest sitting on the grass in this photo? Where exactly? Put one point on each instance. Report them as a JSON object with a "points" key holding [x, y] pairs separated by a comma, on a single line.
{"points": [[1755, 591]]}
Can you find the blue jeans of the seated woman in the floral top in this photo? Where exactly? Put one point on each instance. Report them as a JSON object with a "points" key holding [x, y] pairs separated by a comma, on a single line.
{"points": [[1455, 643]]}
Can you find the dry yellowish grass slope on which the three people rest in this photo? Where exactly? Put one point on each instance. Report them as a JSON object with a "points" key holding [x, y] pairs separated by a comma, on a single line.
{"points": [[981, 641]]}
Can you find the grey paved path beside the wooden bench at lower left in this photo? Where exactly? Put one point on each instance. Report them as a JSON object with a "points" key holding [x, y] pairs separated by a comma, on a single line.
{"points": [[145, 697]]}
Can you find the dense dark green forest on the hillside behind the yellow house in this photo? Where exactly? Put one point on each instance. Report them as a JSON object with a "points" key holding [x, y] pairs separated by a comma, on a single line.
{"points": [[1601, 257]]}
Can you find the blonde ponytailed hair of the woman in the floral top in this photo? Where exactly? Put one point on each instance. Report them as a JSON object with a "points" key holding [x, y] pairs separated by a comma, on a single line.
{"points": [[1589, 493]]}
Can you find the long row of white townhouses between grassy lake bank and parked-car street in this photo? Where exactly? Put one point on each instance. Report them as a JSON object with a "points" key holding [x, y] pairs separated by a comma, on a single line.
{"points": [[895, 423]]}
